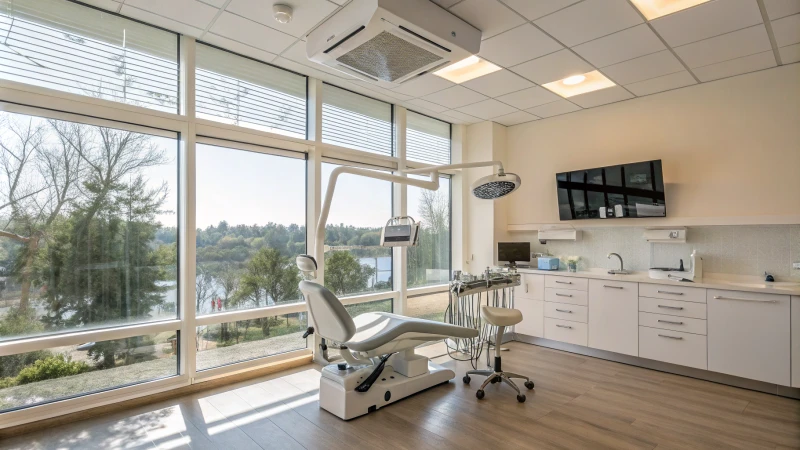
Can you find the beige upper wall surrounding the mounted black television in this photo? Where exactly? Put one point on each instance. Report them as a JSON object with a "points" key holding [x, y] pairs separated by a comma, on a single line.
{"points": [[730, 151]]}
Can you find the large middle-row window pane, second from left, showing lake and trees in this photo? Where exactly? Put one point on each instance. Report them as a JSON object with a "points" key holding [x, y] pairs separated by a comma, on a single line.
{"points": [[248, 236]]}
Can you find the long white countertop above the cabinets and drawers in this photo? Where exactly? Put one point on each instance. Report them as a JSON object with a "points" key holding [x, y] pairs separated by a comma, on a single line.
{"points": [[711, 281]]}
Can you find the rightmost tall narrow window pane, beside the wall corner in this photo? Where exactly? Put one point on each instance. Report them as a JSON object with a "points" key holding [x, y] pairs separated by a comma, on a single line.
{"points": [[429, 262]]}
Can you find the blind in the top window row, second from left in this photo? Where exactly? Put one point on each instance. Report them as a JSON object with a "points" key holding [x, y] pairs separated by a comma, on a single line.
{"points": [[241, 91]]}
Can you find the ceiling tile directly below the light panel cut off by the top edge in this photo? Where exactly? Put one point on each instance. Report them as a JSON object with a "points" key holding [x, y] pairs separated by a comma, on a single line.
{"points": [[707, 20]]}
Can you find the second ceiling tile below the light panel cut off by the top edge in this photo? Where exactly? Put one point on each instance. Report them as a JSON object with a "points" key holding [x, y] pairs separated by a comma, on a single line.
{"points": [[727, 46]]}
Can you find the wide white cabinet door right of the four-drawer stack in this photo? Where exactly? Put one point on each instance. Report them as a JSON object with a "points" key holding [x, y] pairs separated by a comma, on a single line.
{"points": [[749, 335]]}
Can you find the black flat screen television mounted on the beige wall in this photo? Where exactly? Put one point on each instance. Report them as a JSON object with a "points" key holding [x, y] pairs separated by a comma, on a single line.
{"points": [[627, 190]]}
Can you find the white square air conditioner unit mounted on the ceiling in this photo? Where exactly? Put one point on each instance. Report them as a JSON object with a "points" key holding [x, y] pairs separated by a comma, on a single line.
{"points": [[388, 42]]}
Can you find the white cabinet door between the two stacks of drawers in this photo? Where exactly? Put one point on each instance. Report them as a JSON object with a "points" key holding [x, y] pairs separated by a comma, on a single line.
{"points": [[614, 316]]}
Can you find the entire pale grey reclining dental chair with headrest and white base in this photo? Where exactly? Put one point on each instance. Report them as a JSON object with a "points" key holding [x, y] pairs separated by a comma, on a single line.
{"points": [[381, 366]]}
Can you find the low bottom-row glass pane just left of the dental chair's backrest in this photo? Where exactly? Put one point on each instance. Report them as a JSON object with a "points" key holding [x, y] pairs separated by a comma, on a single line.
{"points": [[232, 342]]}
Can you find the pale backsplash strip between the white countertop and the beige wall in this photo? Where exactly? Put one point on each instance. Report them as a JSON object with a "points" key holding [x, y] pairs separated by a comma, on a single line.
{"points": [[736, 249]]}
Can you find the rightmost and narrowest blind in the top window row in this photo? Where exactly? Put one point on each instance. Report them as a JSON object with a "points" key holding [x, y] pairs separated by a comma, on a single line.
{"points": [[427, 139]]}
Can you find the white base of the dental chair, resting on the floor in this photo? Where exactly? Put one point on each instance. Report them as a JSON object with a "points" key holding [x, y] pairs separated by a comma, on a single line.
{"points": [[338, 395]]}
